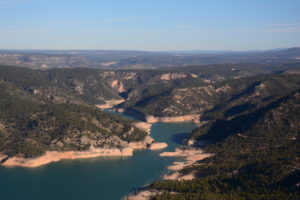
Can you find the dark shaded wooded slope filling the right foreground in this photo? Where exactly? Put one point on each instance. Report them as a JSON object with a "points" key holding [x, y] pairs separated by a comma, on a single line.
{"points": [[256, 156]]}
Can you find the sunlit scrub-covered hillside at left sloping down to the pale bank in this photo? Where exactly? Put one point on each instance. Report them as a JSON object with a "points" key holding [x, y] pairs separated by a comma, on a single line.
{"points": [[30, 125]]}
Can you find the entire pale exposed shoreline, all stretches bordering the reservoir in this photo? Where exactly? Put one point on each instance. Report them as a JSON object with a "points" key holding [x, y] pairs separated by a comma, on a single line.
{"points": [[190, 156]]}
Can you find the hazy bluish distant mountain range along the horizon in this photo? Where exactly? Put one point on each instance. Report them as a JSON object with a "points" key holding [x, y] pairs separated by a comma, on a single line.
{"points": [[117, 59]]}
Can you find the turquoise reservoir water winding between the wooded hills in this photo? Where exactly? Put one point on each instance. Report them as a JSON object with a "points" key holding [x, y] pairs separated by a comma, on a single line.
{"points": [[103, 178]]}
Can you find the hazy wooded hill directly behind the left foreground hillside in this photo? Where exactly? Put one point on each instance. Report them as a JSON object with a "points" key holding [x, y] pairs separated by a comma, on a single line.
{"points": [[77, 86]]}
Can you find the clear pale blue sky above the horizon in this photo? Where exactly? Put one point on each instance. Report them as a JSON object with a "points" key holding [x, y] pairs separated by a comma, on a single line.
{"points": [[152, 25]]}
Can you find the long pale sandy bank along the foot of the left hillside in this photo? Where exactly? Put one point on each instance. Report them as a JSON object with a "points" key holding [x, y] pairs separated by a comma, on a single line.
{"points": [[54, 156]]}
